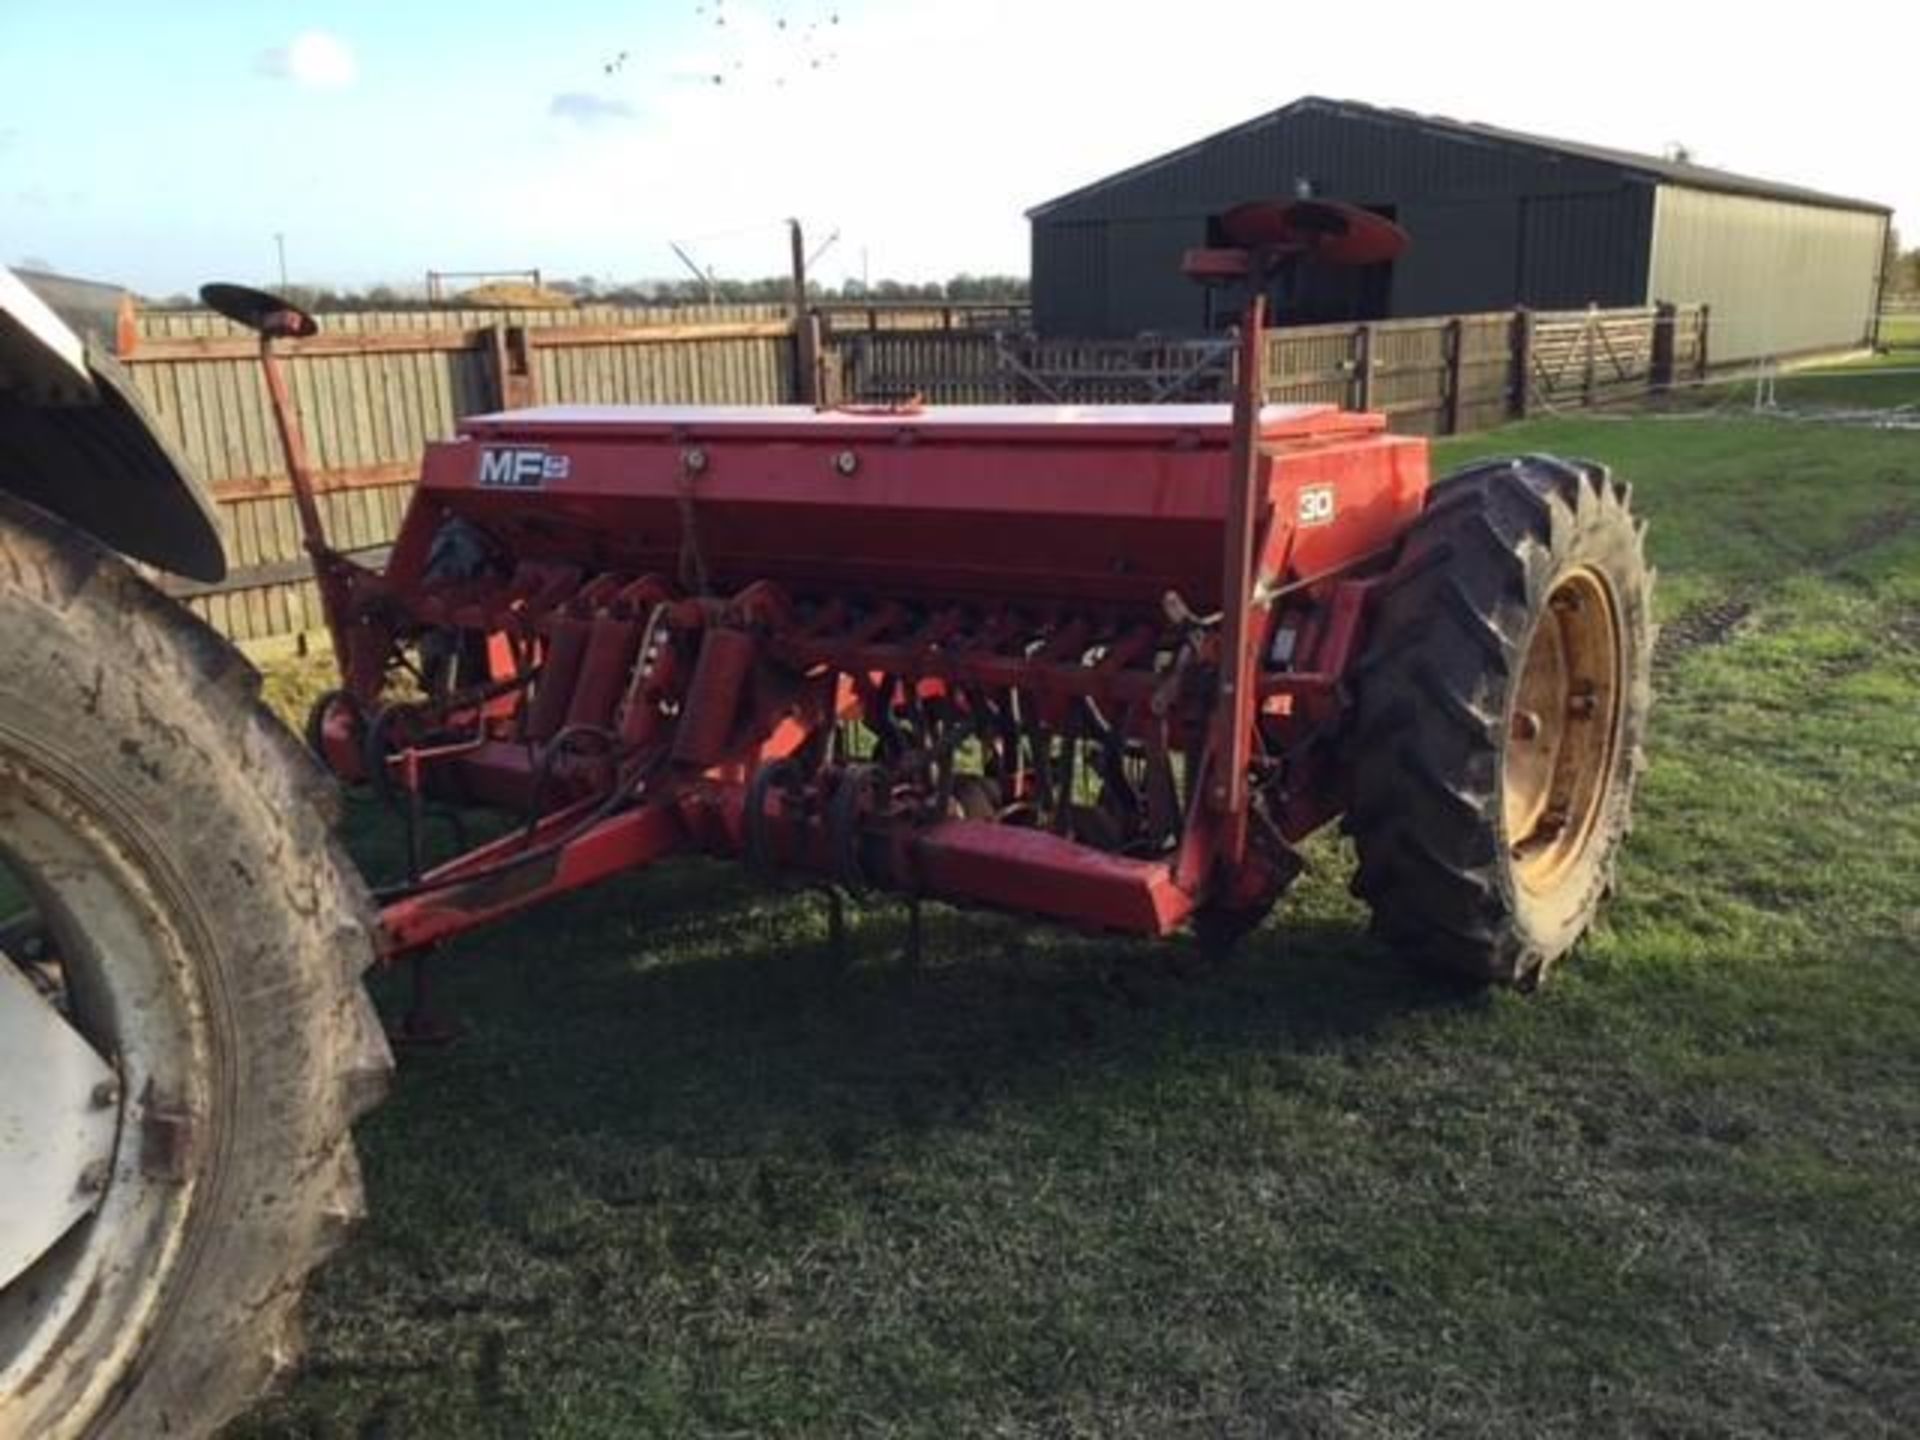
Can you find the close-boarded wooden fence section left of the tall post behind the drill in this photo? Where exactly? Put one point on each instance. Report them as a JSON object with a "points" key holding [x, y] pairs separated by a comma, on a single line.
{"points": [[373, 398]]}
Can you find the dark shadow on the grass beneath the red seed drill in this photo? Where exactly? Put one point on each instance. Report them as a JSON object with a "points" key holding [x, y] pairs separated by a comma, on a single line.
{"points": [[688, 1015]]}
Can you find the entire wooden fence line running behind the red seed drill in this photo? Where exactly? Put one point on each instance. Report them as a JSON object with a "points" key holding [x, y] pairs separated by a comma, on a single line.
{"points": [[375, 389]]}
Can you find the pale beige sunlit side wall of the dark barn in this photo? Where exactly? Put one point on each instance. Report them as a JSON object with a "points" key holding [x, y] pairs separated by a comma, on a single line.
{"points": [[1783, 279]]}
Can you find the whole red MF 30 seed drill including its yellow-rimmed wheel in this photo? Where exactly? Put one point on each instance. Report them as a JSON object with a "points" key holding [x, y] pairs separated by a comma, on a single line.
{"points": [[1097, 665]]}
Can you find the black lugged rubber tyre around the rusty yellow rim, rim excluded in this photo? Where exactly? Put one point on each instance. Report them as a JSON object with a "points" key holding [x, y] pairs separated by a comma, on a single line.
{"points": [[1447, 636]]}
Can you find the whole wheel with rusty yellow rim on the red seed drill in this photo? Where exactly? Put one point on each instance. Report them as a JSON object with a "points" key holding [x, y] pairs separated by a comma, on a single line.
{"points": [[1502, 708]]}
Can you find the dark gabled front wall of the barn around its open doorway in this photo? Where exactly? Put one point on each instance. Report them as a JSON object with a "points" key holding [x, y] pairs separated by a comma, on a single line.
{"points": [[1107, 264]]}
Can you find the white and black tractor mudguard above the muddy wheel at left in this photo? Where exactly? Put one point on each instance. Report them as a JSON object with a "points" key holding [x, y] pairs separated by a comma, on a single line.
{"points": [[76, 441]]}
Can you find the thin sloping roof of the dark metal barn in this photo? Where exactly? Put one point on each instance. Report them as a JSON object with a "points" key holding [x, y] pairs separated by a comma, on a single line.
{"points": [[1652, 168]]}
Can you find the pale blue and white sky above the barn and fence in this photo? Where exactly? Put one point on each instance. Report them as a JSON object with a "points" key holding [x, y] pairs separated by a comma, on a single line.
{"points": [[168, 143]]}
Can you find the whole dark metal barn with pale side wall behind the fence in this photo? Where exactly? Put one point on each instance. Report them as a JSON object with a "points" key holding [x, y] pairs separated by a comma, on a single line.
{"points": [[1499, 220]]}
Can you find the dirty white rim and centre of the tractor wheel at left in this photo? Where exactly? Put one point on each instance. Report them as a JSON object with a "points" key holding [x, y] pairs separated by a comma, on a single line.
{"points": [[93, 1040]]}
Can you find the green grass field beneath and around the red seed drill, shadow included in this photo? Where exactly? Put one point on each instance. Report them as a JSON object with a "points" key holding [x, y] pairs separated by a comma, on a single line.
{"points": [[686, 1178]]}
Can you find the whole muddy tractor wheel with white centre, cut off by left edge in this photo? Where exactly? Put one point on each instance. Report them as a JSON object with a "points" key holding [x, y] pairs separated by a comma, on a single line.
{"points": [[187, 946]]}
